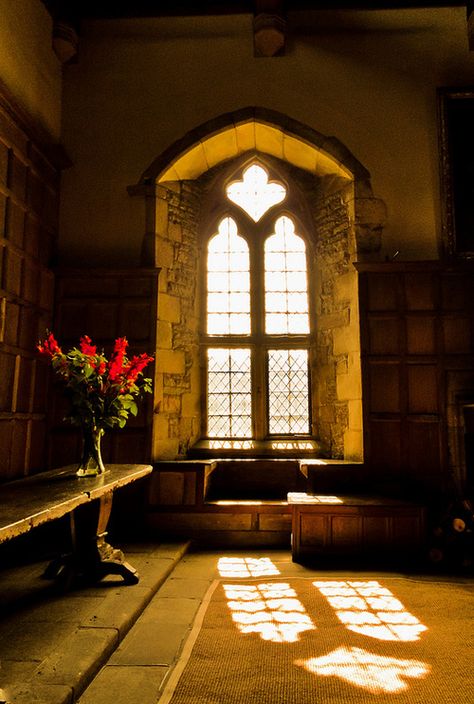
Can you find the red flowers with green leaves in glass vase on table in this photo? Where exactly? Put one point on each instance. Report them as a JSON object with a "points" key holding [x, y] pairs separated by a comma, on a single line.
{"points": [[102, 392]]}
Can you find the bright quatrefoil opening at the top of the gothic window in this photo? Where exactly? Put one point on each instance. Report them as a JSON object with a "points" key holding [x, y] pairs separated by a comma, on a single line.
{"points": [[255, 194]]}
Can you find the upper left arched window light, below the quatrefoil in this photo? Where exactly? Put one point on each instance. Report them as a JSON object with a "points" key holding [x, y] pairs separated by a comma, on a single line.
{"points": [[228, 282]]}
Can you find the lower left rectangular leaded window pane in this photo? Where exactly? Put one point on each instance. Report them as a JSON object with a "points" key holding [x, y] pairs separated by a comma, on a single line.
{"points": [[229, 396]]}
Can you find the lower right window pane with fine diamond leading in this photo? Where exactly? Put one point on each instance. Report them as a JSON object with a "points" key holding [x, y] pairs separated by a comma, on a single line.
{"points": [[288, 392]]}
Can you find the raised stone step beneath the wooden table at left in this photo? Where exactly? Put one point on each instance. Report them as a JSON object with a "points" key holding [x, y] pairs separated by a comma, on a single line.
{"points": [[52, 644]]}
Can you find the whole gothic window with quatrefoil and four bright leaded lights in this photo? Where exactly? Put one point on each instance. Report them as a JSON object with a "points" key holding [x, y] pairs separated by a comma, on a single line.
{"points": [[257, 317]]}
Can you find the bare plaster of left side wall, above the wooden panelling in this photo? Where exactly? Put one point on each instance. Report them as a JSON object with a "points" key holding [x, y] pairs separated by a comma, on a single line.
{"points": [[28, 66]]}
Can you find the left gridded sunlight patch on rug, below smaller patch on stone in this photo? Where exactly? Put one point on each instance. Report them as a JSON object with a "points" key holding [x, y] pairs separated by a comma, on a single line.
{"points": [[272, 610]]}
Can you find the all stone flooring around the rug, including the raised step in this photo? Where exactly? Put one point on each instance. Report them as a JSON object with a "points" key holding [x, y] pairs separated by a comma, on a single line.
{"points": [[112, 643]]}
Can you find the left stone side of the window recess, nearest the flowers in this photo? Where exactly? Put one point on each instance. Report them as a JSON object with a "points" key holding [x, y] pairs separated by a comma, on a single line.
{"points": [[177, 399]]}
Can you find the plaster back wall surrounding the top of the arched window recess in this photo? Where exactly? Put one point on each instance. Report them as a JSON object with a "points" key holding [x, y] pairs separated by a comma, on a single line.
{"points": [[367, 78]]}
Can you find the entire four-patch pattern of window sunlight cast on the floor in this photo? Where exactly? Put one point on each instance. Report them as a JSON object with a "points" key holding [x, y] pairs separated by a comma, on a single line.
{"points": [[274, 612]]}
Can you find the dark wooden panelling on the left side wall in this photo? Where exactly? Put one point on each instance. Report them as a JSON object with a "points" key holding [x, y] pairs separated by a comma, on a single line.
{"points": [[29, 194]]}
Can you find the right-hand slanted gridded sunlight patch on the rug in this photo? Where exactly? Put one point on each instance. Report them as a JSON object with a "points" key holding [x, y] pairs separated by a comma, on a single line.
{"points": [[367, 608]]}
